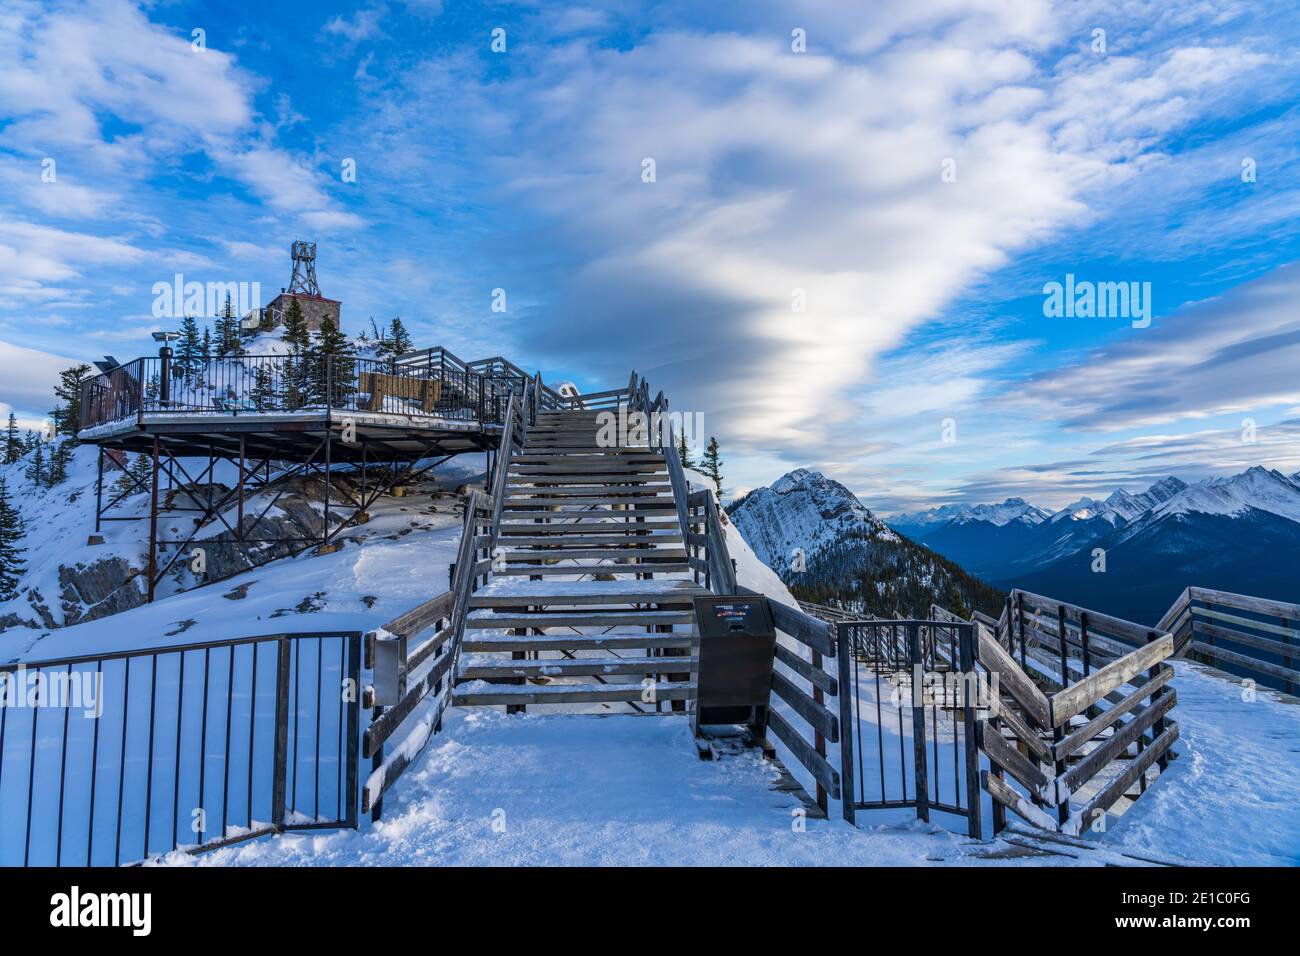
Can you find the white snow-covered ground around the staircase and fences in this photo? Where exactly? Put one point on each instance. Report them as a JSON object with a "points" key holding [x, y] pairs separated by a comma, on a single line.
{"points": [[596, 790]]}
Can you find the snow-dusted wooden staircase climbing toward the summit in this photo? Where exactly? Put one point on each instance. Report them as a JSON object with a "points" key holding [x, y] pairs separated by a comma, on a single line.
{"points": [[591, 594]]}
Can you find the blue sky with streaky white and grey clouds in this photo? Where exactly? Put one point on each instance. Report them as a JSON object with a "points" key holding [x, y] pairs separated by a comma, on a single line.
{"points": [[779, 175]]}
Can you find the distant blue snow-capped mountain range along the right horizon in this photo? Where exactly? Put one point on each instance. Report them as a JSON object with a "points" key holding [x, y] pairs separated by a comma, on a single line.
{"points": [[1232, 534]]}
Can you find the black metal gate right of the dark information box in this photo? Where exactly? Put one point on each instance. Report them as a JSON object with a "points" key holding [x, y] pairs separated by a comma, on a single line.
{"points": [[909, 699]]}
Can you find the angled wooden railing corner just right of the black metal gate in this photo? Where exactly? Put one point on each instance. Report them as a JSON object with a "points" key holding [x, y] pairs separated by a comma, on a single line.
{"points": [[1094, 733]]}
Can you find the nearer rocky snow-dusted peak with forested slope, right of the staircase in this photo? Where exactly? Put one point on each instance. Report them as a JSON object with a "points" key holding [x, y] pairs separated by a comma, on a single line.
{"points": [[848, 556]]}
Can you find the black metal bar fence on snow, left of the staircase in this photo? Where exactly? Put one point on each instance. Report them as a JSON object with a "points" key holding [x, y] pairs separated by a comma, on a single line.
{"points": [[112, 759]]}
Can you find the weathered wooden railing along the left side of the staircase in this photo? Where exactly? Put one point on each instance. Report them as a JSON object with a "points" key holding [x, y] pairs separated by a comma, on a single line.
{"points": [[444, 621]]}
